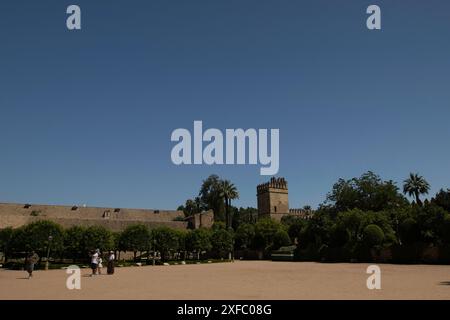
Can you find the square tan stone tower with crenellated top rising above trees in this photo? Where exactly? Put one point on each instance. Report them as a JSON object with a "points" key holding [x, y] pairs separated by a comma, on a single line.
{"points": [[273, 199]]}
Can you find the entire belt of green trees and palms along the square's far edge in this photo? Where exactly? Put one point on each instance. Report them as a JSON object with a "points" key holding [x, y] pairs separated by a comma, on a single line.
{"points": [[359, 216]]}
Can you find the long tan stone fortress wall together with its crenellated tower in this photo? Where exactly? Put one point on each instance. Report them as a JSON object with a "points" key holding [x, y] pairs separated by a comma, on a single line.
{"points": [[273, 202]]}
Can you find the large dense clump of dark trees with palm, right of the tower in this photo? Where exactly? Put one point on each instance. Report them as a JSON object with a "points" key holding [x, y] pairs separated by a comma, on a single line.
{"points": [[366, 215]]}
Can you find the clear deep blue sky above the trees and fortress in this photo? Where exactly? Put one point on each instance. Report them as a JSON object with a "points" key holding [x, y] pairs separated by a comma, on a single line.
{"points": [[86, 116]]}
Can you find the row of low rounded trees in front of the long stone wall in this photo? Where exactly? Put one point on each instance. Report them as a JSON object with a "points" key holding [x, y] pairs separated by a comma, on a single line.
{"points": [[76, 242]]}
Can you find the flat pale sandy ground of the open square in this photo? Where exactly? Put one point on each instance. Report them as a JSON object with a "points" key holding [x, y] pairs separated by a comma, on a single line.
{"points": [[242, 280]]}
